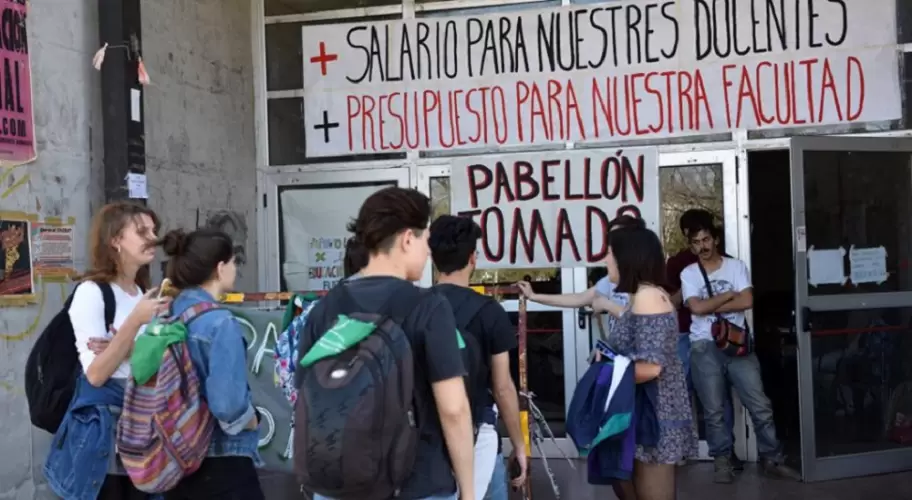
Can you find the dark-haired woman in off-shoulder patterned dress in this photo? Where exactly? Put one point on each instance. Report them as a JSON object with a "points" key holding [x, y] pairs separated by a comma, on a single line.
{"points": [[647, 333]]}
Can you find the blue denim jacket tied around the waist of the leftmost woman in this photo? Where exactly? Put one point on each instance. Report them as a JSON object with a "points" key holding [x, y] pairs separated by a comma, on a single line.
{"points": [[78, 461]]}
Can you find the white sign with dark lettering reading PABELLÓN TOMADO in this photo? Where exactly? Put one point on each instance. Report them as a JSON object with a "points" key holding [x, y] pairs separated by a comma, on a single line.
{"points": [[553, 208]]}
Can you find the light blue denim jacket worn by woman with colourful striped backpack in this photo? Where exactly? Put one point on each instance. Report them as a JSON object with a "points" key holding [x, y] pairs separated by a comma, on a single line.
{"points": [[219, 353]]}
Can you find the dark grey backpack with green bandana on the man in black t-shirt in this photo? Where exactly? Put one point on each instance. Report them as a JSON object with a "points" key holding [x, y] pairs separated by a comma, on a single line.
{"points": [[356, 417]]}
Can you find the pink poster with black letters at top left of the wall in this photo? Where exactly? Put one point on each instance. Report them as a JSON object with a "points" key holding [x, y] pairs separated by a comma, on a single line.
{"points": [[17, 126]]}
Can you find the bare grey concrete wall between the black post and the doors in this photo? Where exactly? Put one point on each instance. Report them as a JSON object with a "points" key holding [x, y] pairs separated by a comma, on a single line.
{"points": [[200, 148]]}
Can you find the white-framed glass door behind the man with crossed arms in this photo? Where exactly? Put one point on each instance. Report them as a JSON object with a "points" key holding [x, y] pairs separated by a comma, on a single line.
{"points": [[703, 180]]}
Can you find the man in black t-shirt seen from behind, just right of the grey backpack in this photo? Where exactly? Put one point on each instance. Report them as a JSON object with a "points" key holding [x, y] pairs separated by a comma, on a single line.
{"points": [[453, 241]]}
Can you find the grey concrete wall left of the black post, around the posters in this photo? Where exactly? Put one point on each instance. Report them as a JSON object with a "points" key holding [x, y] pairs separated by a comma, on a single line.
{"points": [[64, 182]]}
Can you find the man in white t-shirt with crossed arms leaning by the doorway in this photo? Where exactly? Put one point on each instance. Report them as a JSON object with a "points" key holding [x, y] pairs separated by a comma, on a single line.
{"points": [[731, 295]]}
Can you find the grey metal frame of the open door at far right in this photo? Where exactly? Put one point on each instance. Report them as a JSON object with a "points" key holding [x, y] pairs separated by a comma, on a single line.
{"points": [[844, 466]]}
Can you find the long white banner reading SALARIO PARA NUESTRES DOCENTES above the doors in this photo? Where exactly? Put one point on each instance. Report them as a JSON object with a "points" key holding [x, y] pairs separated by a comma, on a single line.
{"points": [[622, 70]]}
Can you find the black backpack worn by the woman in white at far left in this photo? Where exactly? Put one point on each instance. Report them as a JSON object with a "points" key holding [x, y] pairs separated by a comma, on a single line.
{"points": [[53, 365]]}
